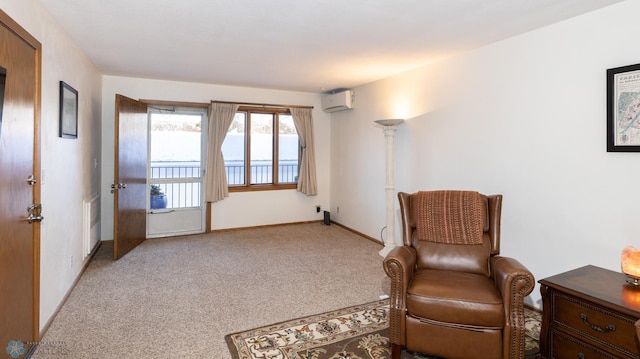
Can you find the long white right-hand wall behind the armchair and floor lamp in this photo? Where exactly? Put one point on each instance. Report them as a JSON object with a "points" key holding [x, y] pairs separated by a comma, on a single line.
{"points": [[524, 117]]}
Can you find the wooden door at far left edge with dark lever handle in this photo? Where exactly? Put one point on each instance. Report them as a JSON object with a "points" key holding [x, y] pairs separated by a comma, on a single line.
{"points": [[19, 188]]}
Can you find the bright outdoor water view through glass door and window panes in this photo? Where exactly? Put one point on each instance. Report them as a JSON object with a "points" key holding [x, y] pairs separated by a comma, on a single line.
{"points": [[175, 171]]}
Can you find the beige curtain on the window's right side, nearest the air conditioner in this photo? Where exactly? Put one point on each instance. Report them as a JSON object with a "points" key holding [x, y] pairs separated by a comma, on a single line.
{"points": [[307, 182]]}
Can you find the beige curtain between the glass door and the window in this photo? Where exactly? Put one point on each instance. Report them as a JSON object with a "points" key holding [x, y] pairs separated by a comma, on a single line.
{"points": [[220, 118]]}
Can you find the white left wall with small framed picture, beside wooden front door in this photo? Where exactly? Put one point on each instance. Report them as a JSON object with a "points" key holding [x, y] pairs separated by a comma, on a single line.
{"points": [[70, 173]]}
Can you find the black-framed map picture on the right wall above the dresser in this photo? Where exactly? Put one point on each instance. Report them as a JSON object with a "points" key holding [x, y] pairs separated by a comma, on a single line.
{"points": [[623, 109]]}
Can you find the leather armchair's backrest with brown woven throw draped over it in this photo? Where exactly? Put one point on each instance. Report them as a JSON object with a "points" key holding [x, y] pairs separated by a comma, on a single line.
{"points": [[438, 248]]}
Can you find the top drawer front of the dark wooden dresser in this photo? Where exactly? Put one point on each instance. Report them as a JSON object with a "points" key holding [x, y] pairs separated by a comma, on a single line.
{"points": [[593, 323]]}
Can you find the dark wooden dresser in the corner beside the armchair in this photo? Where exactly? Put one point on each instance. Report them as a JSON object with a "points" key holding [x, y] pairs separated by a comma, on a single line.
{"points": [[589, 313]]}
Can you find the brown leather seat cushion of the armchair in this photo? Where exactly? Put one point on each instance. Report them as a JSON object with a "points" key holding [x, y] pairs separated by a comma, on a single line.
{"points": [[455, 297]]}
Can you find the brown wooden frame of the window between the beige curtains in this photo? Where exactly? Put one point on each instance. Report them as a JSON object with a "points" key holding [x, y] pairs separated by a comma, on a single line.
{"points": [[248, 186]]}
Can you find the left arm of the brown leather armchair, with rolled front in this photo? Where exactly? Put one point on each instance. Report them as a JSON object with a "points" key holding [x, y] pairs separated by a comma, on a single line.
{"points": [[399, 265]]}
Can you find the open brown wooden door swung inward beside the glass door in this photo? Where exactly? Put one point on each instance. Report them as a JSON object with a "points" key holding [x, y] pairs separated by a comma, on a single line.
{"points": [[130, 175]]}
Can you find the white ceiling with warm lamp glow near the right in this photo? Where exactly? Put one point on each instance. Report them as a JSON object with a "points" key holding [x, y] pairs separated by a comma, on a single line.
{"points": [[301, 45]]}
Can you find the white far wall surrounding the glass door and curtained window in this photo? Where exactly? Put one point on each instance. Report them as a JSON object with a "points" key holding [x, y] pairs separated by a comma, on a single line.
{"points": [[239, 209]]}
